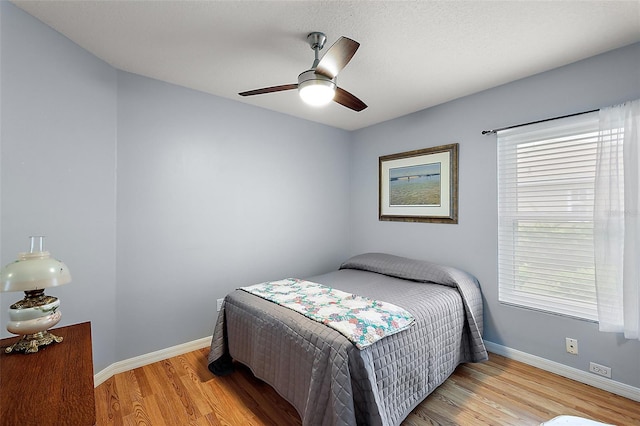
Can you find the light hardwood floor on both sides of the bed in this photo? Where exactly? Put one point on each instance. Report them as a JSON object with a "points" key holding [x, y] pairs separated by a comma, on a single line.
{"points": [[181, 391]]}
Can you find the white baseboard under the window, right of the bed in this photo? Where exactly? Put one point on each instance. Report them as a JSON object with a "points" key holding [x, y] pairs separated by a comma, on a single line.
{"points": [[609, 385]]}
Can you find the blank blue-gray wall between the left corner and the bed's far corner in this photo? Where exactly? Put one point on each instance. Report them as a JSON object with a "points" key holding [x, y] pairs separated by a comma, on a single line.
{"points": [[212, 195]]}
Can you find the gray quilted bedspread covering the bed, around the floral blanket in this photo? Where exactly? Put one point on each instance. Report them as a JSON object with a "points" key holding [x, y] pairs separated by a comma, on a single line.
{"points": [[325, 376]]}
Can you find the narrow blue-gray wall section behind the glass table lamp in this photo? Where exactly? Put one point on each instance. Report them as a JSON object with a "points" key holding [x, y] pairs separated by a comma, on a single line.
{"points": [[57, 168]]}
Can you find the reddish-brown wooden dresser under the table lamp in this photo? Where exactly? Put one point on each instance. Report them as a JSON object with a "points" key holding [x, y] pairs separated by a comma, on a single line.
{"points": [[51, 387]]}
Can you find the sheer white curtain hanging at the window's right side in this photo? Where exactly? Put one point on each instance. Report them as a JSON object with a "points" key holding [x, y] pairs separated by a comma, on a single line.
{"points": [[617, 220]]}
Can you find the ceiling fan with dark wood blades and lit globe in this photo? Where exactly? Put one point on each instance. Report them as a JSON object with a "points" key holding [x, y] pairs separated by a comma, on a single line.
{"points": [[318, 85]]}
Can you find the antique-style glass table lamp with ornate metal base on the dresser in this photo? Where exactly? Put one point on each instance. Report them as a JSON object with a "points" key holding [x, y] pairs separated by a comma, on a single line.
{"points": [[32, 316]]}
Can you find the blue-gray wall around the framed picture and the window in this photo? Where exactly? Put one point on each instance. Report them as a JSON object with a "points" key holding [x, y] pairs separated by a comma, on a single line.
{"points": [[604, 80]]}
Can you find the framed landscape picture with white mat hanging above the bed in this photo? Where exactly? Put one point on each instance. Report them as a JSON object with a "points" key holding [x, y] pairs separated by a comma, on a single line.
{"points": [[420, 186]]}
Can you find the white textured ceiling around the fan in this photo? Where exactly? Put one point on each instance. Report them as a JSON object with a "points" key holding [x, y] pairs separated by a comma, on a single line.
{"points": [[413, 54]]}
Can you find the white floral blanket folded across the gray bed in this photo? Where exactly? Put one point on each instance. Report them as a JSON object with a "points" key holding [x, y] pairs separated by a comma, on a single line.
{"points": [[362, 320]]}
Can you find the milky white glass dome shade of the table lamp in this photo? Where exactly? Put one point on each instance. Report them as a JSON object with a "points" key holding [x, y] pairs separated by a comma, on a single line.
{"points": [[34, 271]]}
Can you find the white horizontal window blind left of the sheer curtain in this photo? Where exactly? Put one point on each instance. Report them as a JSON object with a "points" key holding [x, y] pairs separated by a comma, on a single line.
{"points": [[546, 175]]}
